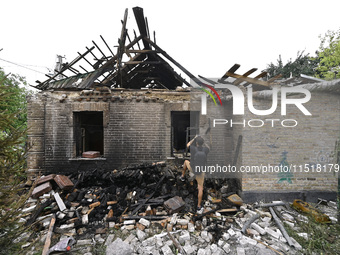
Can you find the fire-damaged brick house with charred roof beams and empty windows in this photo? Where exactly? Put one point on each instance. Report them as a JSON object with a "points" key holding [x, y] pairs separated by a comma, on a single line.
{"points": [[131, 107]]}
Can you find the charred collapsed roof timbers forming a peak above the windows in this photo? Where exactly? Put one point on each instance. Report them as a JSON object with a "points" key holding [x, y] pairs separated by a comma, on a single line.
{"points": [[136, 63]]}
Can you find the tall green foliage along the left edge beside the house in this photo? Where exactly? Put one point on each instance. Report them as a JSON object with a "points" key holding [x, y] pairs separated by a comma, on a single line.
{"points": [[12, 157]]}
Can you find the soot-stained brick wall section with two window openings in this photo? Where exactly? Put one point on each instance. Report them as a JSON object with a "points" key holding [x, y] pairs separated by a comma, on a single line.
{"points": [[137, 128]]}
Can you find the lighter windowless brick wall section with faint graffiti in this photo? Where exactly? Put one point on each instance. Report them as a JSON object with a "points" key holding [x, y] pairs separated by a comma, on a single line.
{"points": [[311, 142]]}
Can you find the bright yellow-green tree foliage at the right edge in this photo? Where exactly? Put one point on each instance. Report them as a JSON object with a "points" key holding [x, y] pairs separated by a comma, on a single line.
{"points": [[329, 56]]}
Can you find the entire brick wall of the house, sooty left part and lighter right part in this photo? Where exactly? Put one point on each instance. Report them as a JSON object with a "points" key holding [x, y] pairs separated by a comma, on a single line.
{"points": [[137, 128]]}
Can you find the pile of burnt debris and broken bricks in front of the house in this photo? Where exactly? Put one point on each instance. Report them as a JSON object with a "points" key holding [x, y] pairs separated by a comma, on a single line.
{"points": [[147, 209]]}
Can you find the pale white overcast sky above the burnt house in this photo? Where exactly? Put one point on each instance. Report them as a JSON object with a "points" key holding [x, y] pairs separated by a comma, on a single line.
{"points": [[206, 37]]}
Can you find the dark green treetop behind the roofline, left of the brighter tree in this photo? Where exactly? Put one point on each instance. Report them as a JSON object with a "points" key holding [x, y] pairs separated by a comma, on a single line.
{"points": [[303, 64]]}
